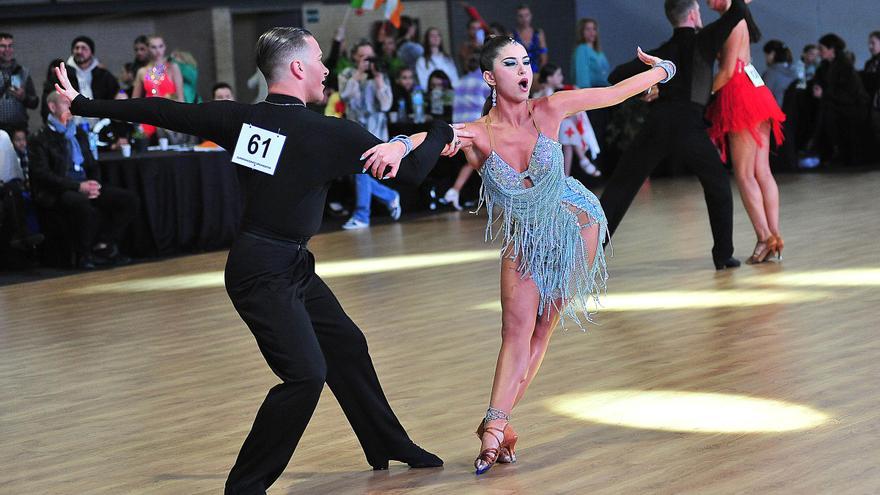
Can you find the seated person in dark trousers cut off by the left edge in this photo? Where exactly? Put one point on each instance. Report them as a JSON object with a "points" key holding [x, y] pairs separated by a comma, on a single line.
{"points": [[12, 186]]}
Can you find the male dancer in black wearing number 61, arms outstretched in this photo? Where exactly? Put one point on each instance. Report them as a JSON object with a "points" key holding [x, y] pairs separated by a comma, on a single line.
{"points": [[289, 154]]}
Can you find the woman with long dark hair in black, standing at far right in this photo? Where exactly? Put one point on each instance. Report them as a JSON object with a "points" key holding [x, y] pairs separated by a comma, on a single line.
{"points": [[842, 103]]}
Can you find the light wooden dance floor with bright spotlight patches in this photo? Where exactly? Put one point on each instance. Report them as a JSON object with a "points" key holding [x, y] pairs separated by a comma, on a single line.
{"points": [[764, 379]]}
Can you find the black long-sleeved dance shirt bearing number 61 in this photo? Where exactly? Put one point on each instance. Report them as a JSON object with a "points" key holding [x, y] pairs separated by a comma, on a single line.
{"points": [[290, 203]]}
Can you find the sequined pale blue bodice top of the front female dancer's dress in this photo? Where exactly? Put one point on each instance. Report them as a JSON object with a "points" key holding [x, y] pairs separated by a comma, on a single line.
{"points": [[546, 158]]}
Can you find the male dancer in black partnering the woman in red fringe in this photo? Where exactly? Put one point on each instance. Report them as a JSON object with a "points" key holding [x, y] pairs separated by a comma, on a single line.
{"points": [[675, 125]]}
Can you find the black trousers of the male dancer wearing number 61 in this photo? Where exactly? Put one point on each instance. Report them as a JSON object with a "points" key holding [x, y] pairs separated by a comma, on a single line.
{"points": [[307, 340]]}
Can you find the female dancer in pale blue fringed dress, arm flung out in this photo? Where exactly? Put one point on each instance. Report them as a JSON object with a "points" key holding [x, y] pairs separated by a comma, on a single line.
{"points": [[552, 227]]}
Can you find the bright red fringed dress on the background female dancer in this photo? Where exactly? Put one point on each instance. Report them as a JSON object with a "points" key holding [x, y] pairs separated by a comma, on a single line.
{"points": [[738, 106]]}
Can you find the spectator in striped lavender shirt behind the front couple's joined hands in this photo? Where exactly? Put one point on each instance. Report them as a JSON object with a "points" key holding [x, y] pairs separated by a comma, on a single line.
{"points": [[467, 106]]}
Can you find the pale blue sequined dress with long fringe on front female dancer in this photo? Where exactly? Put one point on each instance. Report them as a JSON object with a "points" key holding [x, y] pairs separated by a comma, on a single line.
{"points": [[538, 225]]}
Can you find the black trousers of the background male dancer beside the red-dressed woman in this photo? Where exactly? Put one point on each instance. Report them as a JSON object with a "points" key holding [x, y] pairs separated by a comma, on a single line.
{"points": [[675, 130]]}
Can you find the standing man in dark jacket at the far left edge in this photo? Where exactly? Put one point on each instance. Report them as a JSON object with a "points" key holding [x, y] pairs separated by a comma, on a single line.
{"points": [[17, 92]]}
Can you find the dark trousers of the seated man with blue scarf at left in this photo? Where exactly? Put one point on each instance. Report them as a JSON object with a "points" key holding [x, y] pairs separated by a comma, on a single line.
{"points": [[104, 218]]}
